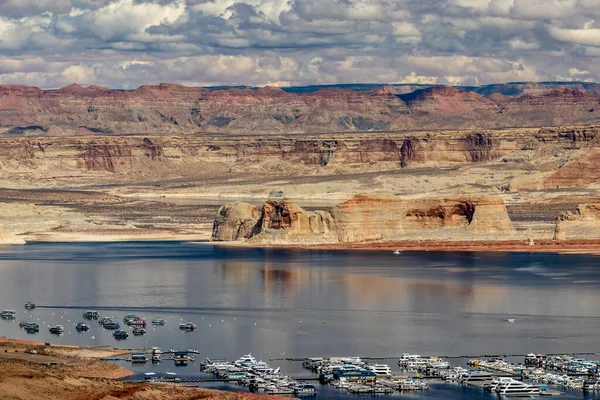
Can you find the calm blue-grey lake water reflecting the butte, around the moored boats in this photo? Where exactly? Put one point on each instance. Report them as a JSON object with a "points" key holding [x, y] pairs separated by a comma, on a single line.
{"points": [[298, 303]]}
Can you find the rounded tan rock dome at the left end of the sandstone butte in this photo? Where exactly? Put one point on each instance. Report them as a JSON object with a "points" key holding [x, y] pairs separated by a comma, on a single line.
{"points": [[235, 221]]}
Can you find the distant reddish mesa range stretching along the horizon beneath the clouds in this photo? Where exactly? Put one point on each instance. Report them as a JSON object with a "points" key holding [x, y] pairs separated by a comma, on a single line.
{"points": [[168, 108]]}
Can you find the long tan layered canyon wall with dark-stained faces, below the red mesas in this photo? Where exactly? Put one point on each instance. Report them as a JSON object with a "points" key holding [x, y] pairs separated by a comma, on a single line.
{"points": [[148, 158]]}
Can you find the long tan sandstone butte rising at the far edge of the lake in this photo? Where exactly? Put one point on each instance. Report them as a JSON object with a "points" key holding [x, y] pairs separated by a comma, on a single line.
{"points": [[366, 218]]}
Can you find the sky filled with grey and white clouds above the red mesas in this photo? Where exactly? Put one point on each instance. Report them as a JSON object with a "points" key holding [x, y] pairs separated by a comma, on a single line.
{"points": [[128, 43]]}
